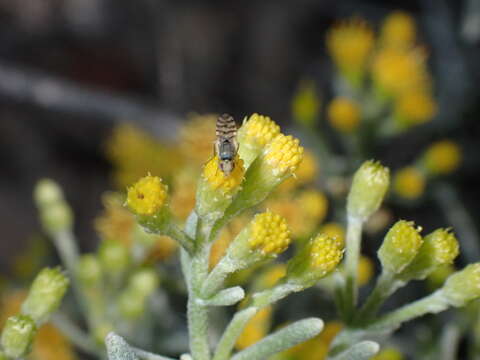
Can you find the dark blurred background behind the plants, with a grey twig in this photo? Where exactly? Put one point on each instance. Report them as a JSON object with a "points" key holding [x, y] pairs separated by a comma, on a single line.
{"points": [[71, 69]]}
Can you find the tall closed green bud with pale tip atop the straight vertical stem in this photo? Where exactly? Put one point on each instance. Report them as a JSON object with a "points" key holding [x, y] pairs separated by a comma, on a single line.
{"points": [[370, 183]]}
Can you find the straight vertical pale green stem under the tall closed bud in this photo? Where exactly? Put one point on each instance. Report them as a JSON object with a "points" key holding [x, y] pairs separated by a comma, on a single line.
{"points": [[353, 241]]}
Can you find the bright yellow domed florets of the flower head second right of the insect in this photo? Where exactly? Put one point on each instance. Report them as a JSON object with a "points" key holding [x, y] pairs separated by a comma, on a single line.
{"points": [[283, 154]]}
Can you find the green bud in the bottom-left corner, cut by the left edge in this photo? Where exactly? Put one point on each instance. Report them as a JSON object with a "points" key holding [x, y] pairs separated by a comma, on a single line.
{"points": [[18, 335]]}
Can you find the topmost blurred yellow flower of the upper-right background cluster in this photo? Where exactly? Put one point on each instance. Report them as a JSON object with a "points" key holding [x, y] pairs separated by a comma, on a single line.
{"points": [[398, 30]]}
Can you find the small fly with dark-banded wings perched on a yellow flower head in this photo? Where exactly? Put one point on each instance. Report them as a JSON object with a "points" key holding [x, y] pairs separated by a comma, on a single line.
{"points": [[226, 145]]}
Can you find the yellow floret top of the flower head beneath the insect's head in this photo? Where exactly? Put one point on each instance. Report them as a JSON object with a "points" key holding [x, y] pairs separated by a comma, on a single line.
{"points": [[217, 179]]}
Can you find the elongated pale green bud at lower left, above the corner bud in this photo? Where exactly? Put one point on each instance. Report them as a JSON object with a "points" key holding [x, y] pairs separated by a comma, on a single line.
{"points": [[45, 294]]}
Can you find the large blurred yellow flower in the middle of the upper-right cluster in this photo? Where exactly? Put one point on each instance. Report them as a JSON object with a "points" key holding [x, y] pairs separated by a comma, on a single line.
{"points": [[396, 71]]}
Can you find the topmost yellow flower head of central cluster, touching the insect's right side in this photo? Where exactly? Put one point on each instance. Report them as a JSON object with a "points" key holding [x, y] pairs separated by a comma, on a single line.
{"points": [[253, 135]]}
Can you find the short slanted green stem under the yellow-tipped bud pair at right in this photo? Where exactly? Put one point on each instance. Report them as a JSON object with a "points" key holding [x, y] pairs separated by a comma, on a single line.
{"points": [[386, 286]]}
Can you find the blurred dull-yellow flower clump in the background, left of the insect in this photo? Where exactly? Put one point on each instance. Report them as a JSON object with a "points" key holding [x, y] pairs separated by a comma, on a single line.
{"points": [[133, 152]]}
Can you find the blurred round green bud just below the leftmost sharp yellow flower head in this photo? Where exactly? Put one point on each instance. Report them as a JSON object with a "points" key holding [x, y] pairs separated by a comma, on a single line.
{"points": [[114, 257]]}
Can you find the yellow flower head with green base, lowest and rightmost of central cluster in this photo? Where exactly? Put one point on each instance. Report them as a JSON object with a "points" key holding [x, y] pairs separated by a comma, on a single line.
{"points": [[315, 260]]}
